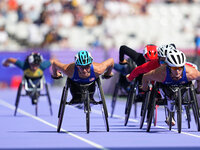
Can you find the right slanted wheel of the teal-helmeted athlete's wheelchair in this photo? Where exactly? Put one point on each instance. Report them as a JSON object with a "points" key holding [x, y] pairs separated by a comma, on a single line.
{"points": [[104, 108]]}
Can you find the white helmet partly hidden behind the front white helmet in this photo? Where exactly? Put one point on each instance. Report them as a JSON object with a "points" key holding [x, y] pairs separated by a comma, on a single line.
{"points": [[162, 50]]}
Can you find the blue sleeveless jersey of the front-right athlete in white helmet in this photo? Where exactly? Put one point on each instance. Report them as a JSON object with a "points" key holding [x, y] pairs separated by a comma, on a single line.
{"points": [[168, 79]]}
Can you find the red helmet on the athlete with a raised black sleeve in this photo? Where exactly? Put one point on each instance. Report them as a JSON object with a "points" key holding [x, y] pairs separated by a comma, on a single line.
{"points": [[150, 52]]}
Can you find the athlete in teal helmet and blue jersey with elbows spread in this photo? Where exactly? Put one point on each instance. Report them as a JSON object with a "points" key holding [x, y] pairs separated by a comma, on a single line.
{"points": [[82, 71]]}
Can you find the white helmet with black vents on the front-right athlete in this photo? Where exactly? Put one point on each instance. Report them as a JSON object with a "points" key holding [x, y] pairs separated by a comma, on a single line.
{"points": [[175, 58]]}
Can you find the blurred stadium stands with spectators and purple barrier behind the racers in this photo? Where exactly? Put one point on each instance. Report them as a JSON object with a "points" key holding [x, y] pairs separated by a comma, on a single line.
{"points": [[60, 28]]}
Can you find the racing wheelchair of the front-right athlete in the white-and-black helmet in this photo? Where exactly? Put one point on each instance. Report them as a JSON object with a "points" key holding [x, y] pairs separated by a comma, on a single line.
{"points": [[178, 100]]}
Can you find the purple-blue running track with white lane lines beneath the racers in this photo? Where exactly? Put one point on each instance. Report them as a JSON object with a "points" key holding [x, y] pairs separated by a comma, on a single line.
{"points": [[27, 132]]}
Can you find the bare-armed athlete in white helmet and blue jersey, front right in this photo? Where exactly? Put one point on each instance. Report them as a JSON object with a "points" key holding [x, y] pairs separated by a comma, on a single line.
{"points": [[174, 72]]}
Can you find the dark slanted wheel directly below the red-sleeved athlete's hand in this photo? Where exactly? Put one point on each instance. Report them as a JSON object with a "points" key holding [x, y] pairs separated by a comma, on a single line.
{"points": [[129, 103]]}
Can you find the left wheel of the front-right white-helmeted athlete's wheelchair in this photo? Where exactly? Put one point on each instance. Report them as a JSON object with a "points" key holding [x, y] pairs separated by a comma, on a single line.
{"points": [[151, 109]]}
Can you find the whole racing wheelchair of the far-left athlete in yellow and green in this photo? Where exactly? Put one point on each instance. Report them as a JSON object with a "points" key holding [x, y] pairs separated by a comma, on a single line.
{"points": [[33, 87]]}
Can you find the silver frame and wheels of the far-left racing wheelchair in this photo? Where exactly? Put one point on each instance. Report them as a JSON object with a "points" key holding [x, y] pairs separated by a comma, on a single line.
{"points": [[35, 89]]}
